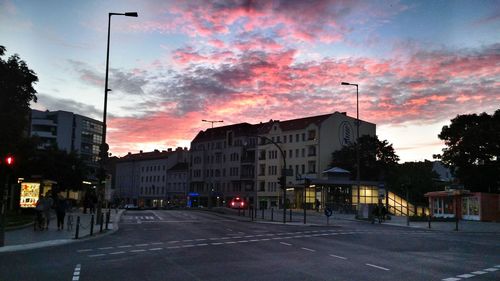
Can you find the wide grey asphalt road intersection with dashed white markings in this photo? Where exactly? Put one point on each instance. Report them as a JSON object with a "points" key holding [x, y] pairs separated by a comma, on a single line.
{"points": [[199, 245]]}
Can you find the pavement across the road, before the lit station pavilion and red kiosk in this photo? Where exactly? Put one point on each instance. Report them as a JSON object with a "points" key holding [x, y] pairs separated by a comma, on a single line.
{"points": [[314, 218]]}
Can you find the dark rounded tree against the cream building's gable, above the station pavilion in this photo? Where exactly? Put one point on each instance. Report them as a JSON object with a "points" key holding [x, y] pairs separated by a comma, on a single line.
{"points": [[377, 158]]}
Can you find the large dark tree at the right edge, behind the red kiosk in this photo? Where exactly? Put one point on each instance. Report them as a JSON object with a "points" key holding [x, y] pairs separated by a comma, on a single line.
{"points": [[473, 150]]}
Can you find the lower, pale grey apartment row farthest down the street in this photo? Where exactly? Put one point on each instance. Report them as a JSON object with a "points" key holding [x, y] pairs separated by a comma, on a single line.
{"points": [[151, 179]]}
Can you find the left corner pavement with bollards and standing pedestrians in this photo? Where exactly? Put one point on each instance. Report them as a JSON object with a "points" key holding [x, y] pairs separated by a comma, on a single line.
{"points": [[26, 238]]}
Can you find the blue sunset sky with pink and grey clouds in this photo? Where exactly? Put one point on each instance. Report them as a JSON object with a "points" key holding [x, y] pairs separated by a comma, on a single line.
{"points": [[418, 64]]}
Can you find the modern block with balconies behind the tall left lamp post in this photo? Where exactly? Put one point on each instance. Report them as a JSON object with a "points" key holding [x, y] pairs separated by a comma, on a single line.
{"points": [[70, 132]]}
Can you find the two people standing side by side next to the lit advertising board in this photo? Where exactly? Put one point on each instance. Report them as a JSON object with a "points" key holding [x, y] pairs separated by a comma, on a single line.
{"points": [[43, 207]]}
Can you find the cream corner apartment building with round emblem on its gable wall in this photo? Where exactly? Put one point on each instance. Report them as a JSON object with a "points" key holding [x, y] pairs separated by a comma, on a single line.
{"points": [[307, 145]]}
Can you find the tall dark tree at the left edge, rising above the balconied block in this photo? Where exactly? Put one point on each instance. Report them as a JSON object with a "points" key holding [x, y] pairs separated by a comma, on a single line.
{"points": [[16, 93]]}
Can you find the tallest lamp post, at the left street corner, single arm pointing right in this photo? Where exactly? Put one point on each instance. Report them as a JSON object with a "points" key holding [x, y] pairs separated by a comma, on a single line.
{"points": [[104, 147]]}
